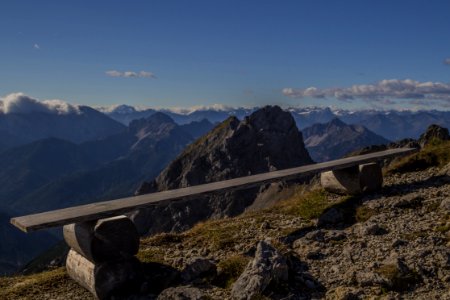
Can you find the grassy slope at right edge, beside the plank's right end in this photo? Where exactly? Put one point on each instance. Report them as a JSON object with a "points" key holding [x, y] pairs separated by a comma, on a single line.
{"points": [[436, 154]]}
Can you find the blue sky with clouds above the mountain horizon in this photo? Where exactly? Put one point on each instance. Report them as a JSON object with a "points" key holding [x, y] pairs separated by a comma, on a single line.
{"points": [[229, 52]]}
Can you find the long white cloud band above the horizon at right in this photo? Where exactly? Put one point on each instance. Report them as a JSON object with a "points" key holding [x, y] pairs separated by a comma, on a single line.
{"points": [[383, 90]]}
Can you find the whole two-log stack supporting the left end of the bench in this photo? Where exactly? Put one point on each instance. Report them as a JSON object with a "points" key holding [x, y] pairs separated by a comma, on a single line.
{"points": [[102, 256]]}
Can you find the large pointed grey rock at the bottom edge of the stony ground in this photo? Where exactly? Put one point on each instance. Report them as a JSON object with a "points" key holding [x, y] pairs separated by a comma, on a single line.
{"points": [[268, 266]]}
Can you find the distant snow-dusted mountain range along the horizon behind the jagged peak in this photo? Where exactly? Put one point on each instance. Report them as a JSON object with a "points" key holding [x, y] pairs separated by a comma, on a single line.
{"points": [[392, 124]]}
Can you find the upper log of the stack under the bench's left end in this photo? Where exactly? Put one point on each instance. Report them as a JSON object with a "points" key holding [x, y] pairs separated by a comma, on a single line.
{"points": [[104, 240]]}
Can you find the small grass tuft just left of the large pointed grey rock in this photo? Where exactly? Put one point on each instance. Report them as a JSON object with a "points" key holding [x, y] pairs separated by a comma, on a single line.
{"points": [[230, 269]]}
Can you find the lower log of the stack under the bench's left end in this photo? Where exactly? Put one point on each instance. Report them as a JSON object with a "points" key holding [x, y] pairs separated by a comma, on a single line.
{"points": [[106, 279]]}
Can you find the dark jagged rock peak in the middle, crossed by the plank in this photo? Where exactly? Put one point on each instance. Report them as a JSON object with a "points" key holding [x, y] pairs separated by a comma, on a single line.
{"points": [[266, 140]]}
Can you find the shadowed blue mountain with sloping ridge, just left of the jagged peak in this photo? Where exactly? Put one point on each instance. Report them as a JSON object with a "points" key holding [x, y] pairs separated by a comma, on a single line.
{"points": [[141, 152]]}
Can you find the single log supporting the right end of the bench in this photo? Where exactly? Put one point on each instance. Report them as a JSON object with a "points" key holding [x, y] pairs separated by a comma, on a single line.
{"points": [[353, 180]]}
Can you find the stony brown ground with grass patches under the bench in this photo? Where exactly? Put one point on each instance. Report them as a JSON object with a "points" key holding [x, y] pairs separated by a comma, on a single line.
{"points": [[315, 245]]}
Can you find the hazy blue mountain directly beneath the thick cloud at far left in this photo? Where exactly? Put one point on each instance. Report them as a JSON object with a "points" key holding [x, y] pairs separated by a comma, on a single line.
{"points": [[18, 128]]}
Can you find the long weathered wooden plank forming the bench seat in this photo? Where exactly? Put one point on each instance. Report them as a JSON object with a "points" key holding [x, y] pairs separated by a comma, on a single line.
{"points": [[120, 206]]}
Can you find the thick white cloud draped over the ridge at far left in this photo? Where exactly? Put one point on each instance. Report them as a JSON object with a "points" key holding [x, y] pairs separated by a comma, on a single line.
{"points": [[21, 103]]}
